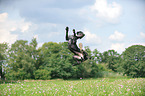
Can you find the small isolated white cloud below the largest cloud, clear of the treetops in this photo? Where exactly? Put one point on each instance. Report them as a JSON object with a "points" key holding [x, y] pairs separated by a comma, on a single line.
{"points": [[118, 36]]}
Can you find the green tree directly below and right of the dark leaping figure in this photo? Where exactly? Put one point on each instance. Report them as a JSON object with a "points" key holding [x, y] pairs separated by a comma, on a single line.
{"points": [[90, 67]]}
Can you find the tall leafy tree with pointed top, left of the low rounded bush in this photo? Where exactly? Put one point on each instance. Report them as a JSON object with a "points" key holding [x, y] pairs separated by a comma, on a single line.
{"points": [[21, 60]]}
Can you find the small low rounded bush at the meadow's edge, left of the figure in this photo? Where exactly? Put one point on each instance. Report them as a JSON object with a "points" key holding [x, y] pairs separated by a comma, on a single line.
{"points": [[42, 74]]}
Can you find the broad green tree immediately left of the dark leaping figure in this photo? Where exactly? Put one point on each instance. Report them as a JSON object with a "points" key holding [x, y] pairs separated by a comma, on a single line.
{"points": [[56, 59]]}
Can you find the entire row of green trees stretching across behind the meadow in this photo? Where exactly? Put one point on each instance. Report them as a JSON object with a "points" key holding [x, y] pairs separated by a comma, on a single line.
{"points": [[23, 60]]}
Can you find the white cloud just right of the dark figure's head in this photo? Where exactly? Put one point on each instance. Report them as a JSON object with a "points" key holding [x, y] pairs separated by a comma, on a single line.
{"points": [[91, 38]]}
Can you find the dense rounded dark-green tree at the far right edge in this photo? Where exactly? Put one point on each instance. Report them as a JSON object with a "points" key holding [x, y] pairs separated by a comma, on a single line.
{"points": [[134, 61]]}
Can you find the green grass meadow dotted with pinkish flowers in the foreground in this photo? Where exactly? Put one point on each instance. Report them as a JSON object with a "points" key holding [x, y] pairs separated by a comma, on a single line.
{"points": [[88, 87]]}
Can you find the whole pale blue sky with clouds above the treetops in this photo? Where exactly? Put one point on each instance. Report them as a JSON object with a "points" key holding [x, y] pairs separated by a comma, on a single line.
{"points": [[108, 24]]}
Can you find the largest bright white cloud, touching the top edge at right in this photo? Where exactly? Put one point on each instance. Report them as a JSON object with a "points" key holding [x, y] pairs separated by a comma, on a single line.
{"points": [[107, 11]]}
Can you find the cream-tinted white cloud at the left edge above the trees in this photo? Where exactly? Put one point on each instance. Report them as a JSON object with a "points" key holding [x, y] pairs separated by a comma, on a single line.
{"points": [[7, 26]]}
